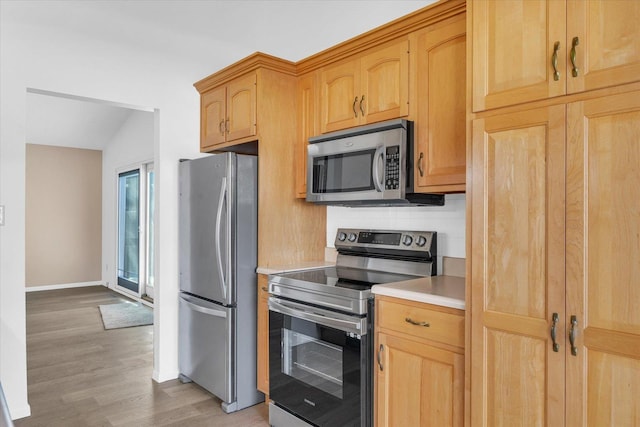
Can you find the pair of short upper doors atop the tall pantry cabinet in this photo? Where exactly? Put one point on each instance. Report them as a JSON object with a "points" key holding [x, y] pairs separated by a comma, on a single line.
{"points": [[526, 50]]}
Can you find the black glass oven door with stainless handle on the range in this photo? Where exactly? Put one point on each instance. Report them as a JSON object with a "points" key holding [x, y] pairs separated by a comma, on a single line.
{"points": [[320, 364]]}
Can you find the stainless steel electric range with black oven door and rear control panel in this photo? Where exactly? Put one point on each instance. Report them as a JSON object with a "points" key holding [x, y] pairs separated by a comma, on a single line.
{"points": [[321, 327]]}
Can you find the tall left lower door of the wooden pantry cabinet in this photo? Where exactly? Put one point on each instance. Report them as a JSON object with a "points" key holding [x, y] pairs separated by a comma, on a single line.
{"points": [[518, 268]]}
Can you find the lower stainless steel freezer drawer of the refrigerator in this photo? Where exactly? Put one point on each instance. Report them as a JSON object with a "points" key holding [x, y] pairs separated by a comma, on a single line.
{"points": [[206, 345]]}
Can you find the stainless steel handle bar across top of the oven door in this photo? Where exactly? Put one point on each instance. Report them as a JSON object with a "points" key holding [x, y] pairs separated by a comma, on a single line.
{"points": [[317, 315]]}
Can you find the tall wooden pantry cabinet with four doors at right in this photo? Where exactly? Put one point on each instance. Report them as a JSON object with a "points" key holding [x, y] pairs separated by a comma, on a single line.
{"points": [[555, 202]]}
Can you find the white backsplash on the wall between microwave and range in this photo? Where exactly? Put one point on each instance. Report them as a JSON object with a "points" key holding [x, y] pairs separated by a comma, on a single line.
{"points": [[448, 221]]}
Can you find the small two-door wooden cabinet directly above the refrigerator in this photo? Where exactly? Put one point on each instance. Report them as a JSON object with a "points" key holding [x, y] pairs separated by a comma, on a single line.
{"points": [[228, 113]]}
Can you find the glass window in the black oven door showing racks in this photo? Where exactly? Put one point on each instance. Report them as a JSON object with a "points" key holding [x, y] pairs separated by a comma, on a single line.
{"points": [[314, 362]]}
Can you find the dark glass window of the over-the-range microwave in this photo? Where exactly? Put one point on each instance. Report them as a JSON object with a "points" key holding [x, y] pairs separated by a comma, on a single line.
{"points": [[341, 173]]}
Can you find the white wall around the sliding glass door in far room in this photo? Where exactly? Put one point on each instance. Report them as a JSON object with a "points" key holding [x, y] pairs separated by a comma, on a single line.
{"points": [[131, 146]]}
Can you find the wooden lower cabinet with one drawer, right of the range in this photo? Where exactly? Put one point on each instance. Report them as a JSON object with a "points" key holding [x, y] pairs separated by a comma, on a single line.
{"points": [[419, 369]]}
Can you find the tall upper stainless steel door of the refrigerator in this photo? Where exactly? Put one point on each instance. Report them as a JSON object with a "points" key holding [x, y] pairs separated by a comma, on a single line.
{"points": [[207, 221]]}
